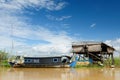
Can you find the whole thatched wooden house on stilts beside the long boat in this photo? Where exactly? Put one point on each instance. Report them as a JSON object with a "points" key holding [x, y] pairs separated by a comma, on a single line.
{"points": [[93, 52]]}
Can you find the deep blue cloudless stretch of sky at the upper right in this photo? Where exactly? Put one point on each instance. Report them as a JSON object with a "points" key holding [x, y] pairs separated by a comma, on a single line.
{"points": [[104, 14]]}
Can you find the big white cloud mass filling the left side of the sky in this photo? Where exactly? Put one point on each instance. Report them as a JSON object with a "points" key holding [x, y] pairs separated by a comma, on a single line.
{"points": [[22, 32]]}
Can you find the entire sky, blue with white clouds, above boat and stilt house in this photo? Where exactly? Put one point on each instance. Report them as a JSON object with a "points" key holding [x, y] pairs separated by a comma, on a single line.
{"points": [[48, 27]]}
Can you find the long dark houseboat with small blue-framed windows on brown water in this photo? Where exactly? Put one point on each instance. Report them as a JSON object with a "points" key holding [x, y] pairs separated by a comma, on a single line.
{"points": [[54, 61]]}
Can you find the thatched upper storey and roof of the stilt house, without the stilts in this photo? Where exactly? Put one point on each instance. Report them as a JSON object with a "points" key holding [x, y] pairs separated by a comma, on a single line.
{"points": [[92, 47]]}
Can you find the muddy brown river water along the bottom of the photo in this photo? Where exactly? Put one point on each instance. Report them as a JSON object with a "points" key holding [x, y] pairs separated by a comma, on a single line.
{"points": [[59, 74]]}
